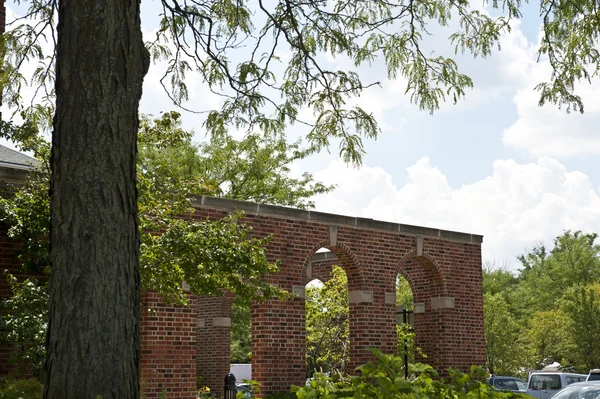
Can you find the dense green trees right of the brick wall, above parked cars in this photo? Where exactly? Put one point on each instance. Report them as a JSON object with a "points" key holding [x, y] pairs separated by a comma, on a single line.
{"points": [[545, 313]]}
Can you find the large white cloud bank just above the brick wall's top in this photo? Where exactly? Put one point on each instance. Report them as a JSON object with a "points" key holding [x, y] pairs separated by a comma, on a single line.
{"points": [[514, 208]]}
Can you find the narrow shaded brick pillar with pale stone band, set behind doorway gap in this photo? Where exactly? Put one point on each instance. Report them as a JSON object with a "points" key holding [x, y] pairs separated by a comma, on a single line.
{"points": [[214, 340]]}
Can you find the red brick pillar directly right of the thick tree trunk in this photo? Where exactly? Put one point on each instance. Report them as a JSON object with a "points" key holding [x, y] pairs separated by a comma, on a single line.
{"points": [[168, 348]]}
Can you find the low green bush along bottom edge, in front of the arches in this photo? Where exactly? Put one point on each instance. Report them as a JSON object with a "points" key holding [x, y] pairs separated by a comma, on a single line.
{"points": [[384, 379]]}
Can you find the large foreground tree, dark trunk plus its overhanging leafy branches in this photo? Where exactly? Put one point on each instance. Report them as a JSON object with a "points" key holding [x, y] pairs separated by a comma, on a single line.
{"points": [[97, 71]]}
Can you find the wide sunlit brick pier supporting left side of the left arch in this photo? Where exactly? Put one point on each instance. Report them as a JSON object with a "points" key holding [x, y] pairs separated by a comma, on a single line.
{"points": [[279, 344]]}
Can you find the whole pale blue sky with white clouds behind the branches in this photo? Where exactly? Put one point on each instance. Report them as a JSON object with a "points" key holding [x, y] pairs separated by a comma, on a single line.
{"points": [[494, 164]]}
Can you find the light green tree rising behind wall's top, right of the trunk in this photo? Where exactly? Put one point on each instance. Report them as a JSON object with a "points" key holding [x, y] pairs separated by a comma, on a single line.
{"points": [[253, 168]]}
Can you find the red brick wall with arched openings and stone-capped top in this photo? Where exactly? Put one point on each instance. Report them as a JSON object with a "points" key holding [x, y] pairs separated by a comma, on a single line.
{"points": [[443, 268]]}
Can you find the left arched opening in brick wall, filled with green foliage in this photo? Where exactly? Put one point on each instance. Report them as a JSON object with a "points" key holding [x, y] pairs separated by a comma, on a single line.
{"points": [[327, 322]]}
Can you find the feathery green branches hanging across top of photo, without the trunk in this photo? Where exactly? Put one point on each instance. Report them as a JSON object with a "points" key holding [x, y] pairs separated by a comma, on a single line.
{"points": [[266, 60]]}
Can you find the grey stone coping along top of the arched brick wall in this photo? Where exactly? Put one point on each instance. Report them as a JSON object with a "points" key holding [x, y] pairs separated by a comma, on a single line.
{"points": [[330, 218]]}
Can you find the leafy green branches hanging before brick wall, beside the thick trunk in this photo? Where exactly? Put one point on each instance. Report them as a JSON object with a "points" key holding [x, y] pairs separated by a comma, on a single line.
{"points": [[211, 257]]}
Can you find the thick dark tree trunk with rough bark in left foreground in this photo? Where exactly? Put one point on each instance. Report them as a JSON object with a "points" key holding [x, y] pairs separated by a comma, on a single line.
{"points": [[93, 335]]}
